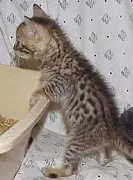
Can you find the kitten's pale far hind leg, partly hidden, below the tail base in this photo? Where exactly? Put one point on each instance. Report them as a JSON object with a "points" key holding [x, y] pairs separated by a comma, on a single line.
{"points": [[104, 156]]}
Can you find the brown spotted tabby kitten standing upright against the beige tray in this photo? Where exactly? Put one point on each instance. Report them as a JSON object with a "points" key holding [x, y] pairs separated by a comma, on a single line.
{"points": [[69, 79]]}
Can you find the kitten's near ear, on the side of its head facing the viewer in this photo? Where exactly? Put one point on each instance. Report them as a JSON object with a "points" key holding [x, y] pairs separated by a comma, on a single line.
{"points": [[30, 26]]}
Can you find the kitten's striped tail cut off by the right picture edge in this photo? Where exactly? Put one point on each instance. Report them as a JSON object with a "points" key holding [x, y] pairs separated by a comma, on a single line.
{"points": [[124, 145]]}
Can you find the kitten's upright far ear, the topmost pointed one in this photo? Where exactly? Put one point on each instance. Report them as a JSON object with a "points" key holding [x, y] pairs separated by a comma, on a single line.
{"points": [[38, 12]]}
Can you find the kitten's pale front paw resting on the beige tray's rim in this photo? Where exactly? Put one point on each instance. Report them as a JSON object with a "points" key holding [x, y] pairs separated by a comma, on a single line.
{"points": [[35, 97]]}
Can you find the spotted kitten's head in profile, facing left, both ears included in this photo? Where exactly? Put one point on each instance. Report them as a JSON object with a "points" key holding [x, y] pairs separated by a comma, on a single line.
{"points": [[35, 38]]}
